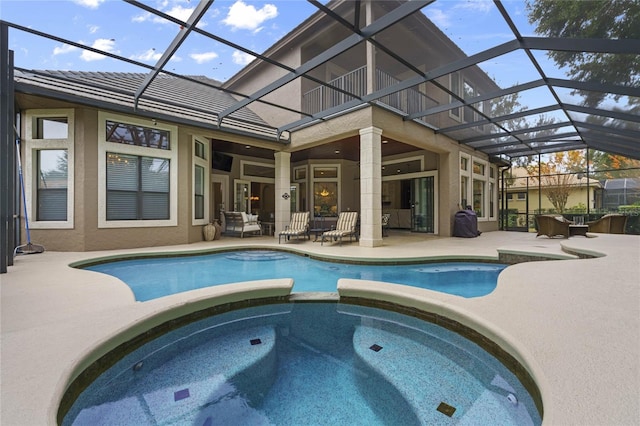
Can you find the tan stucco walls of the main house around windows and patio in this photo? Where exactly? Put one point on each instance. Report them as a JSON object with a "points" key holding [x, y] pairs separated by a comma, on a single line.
{"points": [[440, 153]]}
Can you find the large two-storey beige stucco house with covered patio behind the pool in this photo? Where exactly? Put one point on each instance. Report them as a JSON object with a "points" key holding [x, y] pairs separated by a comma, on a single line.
{"points": [[155, 174]]}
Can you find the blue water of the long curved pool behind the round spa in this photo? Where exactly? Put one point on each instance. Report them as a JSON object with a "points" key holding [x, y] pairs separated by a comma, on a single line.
{"points": [[156, 277]]}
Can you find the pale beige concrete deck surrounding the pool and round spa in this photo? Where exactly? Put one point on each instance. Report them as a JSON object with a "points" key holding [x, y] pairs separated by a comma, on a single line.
{"points": [[576, 322]]}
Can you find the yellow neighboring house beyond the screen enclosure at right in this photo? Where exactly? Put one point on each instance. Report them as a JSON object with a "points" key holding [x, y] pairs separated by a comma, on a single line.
{"points": [[526, 193]]}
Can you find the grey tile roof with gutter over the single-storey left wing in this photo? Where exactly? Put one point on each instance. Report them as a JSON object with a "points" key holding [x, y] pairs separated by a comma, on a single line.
{"points": [[191, 99]]}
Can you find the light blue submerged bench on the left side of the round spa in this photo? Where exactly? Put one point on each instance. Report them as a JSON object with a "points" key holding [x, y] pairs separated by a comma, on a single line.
{"points": [[208, 383]]}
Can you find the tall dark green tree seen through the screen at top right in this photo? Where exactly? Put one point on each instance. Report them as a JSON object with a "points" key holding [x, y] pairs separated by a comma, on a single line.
{"points": [[609, 19]]}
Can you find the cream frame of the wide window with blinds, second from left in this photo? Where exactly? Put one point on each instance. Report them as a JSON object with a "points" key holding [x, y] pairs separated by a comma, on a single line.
{"points": [[170, 154]]}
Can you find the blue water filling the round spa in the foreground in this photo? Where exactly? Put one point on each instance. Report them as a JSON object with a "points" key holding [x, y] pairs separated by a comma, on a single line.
{"points": [[306, 363]]}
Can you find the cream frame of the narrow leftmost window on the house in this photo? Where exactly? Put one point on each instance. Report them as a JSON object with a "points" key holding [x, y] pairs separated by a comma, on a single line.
{"points": [[32, 146]]}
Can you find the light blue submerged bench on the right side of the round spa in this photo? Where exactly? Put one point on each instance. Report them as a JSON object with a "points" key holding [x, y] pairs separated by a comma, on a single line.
{"points": [[439, 390]]}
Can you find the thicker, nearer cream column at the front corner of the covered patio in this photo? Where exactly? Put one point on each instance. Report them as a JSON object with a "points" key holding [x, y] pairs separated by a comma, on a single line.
{"points": [[371, 187]]}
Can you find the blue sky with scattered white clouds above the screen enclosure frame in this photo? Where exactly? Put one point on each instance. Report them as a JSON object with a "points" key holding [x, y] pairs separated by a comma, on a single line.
{"points": [[128, 31]]}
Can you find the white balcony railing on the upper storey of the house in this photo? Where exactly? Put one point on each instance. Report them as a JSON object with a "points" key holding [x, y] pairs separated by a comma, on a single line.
{"points": [[323, 97]]}
